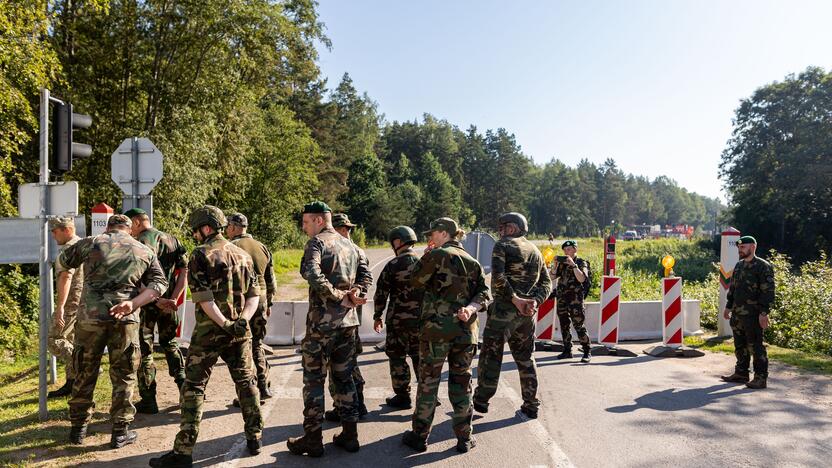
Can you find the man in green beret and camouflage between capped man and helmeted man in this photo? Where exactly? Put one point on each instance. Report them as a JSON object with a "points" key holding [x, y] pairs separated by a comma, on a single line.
{"points": [[162, 314]]}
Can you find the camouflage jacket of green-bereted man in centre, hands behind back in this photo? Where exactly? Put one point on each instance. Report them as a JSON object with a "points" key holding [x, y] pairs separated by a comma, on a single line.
{"points": [[331, 265]]}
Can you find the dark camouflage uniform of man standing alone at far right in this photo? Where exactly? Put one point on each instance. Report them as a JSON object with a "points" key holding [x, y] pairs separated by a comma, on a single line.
{"points": [[751, 293]]}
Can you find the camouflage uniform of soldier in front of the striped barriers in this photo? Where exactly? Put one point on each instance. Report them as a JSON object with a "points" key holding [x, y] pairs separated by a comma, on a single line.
{"points": [[570, 308]]}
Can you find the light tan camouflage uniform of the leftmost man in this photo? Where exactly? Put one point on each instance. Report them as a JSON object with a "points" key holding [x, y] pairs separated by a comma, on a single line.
{"points": [[61, 340]]}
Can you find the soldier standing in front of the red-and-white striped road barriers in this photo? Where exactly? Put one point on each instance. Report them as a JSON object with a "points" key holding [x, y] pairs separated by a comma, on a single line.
{"points": [[569, 277]]}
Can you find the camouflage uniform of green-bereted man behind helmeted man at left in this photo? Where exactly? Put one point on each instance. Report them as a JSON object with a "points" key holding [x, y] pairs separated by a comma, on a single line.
{"points": [[172, 256]]}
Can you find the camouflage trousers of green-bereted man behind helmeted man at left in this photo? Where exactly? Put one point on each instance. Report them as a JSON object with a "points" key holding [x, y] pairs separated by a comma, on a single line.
{"points": [[167, 322]]}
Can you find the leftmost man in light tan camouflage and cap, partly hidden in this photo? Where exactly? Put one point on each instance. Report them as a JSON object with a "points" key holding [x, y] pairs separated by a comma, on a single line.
{"points": [[69, 285]]}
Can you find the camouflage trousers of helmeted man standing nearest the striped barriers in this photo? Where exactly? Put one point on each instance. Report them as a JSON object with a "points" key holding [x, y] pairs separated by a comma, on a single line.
{"points": [[519, 332]]}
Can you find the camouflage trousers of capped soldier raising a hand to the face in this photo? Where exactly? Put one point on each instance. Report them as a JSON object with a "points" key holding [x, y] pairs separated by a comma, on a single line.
{"points": [[432, 356]]}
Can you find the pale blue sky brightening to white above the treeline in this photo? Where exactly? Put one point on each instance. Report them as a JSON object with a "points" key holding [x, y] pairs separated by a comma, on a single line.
{"points": [[651, 84]]}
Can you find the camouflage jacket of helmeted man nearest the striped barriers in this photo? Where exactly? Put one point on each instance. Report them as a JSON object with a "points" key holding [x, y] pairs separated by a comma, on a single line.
{"points": [[517, 268]]}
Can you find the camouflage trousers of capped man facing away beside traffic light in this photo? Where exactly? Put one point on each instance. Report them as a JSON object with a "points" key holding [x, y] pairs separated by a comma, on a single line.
{"points": [[122, 341]]}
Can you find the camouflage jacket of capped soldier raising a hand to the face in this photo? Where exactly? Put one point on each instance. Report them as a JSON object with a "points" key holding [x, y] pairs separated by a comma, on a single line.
{"points": [[451, 279]]}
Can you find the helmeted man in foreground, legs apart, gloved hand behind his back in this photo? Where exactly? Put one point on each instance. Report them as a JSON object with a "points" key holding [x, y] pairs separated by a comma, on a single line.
{"points": [[225, 292]]}
